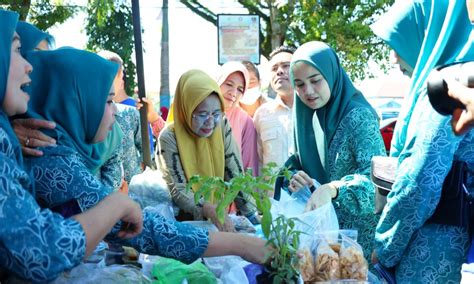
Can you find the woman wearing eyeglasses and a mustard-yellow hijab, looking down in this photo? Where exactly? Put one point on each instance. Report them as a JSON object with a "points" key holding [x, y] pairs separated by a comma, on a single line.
{"points": [[198, 141]]}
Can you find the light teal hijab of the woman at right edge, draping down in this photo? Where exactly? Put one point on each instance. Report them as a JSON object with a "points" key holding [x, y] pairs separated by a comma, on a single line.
{"points": [[443, 35]]}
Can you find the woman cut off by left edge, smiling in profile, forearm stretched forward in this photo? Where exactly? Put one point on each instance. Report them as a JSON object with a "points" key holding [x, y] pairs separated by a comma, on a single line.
{"points": [[36, 244]]}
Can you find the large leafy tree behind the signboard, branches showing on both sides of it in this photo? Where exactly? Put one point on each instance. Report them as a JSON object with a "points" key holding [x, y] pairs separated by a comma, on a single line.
{"points": [[343, 24]]}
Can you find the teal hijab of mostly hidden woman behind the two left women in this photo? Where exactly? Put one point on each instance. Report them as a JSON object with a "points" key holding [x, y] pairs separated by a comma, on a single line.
{"points": [[31, 36]]}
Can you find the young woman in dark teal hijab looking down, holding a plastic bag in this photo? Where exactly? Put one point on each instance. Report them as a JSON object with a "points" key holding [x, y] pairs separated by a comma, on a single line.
{"points": [[336, 135]]}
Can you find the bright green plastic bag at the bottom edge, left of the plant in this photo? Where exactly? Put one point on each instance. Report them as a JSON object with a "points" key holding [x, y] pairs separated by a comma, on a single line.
{"points": [[167, 270]]}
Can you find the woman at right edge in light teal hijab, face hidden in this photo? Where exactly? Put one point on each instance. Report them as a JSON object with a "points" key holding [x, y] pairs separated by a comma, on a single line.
{"points": [[425, 145]]}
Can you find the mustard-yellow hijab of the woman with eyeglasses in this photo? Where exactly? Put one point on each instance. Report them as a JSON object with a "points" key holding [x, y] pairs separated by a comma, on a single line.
{"points": [[198, 155]]}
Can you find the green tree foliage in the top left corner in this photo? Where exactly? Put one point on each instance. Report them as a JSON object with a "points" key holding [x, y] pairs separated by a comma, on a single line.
{"points": [[42, 13]]}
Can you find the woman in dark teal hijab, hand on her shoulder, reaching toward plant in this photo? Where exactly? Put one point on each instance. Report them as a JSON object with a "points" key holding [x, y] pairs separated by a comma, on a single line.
{"points": [[73, 94]]}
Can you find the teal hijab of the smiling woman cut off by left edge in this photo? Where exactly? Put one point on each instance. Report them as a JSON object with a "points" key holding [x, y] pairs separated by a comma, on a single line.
{"points": [[8, 21]]}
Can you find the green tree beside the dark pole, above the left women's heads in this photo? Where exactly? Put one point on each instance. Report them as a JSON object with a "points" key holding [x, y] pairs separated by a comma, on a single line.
{"points": [[109, 26]]}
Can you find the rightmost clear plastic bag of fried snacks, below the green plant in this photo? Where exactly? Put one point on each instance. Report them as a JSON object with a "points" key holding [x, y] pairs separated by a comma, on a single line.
{"points": [[353, 264]]}
